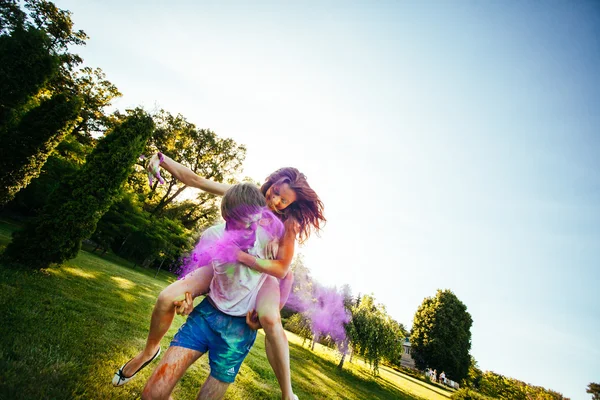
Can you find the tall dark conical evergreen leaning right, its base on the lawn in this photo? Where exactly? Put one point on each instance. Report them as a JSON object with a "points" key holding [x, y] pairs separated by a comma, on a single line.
{"points": [[74, 209]]}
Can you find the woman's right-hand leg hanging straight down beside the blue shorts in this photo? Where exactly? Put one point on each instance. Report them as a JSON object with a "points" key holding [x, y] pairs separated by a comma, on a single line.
{"points": [[276, 343]]}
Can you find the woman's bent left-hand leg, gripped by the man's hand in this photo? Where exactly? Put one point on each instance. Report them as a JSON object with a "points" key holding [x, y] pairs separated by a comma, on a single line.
{"points": [[197, 283]]}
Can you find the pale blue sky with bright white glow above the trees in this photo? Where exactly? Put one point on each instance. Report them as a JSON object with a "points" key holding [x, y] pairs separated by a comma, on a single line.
{"points": [[455, 145]]}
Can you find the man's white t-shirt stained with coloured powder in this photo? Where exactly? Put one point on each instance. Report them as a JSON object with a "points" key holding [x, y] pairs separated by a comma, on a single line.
{"points": [[235, 286]]}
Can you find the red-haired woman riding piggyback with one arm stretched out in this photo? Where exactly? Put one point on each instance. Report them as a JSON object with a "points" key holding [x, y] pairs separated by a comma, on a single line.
{"points": [[300, 209]]}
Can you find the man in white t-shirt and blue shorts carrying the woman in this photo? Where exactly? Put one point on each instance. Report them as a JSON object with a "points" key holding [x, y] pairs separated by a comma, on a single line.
{"points": [[218, 324]]}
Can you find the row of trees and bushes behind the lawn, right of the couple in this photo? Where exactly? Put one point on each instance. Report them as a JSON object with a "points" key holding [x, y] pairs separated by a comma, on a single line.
{"points": [[440, 336]]}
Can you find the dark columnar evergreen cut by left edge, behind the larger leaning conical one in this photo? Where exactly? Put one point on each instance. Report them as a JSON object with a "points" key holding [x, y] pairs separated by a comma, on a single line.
{"points": [[25, 147]]}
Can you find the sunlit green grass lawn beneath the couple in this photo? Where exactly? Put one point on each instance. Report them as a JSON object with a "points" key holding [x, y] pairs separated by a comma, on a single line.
{"points": [[65, 331]]}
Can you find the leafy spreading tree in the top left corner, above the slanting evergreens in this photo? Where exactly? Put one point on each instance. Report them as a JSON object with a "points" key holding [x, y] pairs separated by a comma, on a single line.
{"points": [[45, 59]]}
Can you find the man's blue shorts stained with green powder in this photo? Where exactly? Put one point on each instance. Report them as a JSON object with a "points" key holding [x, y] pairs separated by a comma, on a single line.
{"points": [[227, 339]]}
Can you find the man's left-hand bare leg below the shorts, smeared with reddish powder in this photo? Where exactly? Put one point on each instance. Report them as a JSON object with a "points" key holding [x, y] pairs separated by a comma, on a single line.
{"points": [[168, 372]]}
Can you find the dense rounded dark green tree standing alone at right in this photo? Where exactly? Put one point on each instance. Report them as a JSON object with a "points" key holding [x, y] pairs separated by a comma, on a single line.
{"points": [[441, 335]]}
